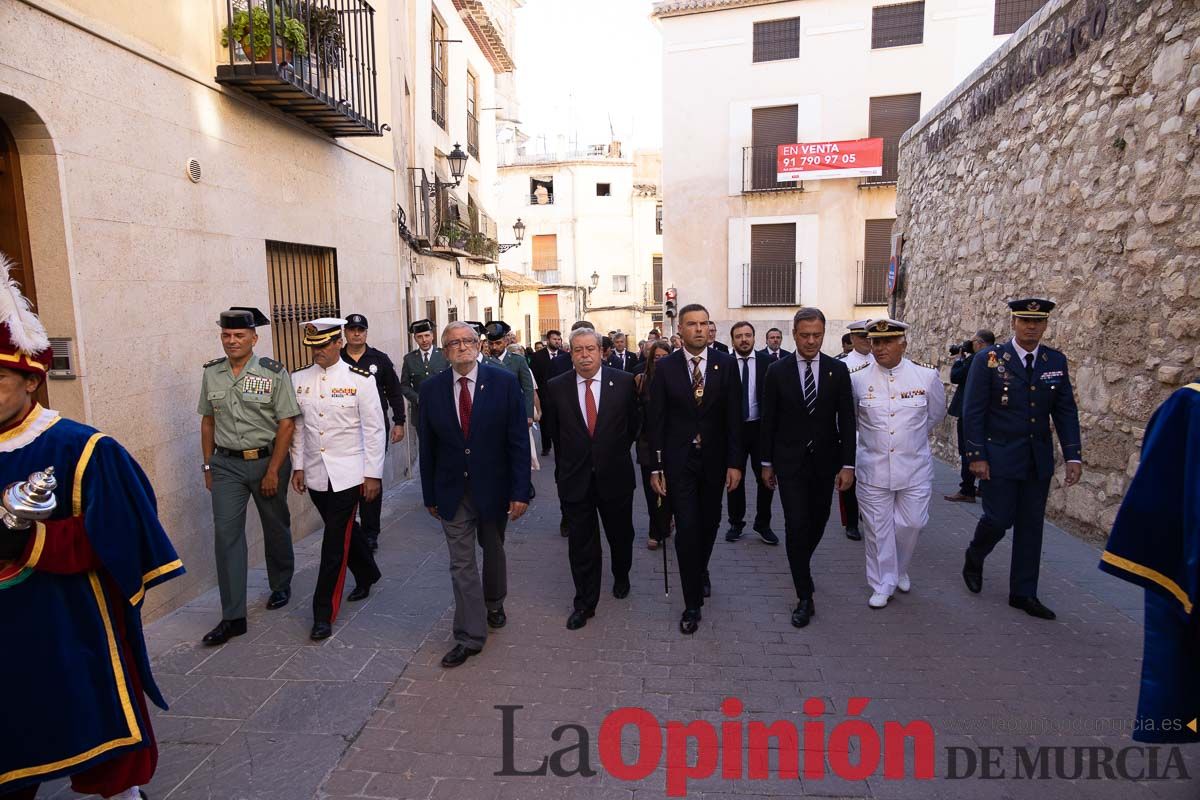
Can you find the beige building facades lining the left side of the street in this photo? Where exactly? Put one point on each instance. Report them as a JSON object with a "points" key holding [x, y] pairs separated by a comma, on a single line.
{"points": [[146, 189]]}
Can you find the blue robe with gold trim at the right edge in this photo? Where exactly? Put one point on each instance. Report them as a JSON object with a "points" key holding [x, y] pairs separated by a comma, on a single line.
{"points": [[1156, 544]]}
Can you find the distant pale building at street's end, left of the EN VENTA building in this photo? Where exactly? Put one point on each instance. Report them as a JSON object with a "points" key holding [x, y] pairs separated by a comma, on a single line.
{"points": [[593, 238]]}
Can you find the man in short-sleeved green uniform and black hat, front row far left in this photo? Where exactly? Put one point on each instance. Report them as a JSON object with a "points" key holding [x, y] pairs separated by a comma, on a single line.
{"points": [[249, 412]]}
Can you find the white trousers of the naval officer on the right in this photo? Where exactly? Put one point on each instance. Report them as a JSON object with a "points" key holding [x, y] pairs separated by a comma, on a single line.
{"points": [[892, 521]]}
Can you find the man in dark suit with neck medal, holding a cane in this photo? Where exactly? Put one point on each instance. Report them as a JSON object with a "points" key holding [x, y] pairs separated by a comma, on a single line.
{"points": [[694, 426]]}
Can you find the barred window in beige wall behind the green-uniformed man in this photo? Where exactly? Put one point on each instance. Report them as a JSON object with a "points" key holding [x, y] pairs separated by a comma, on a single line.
{"points": [[303, 286]]}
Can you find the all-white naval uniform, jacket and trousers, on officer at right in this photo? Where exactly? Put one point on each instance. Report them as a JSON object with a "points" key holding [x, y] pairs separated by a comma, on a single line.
{"points": [[896, 411]]}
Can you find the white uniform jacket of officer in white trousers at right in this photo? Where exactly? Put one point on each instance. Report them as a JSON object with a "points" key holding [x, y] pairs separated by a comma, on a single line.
{"points": [[896, 411]]}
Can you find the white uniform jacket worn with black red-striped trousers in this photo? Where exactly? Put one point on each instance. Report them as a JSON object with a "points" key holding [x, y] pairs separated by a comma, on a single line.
{"points": [[340, 436]]}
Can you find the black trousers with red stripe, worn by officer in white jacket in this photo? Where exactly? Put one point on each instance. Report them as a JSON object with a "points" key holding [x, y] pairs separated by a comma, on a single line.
{"points": [[343, 546]]}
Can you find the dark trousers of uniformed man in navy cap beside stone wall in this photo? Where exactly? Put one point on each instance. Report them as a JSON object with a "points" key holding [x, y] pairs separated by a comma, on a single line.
{"points": [[1021, 506]]}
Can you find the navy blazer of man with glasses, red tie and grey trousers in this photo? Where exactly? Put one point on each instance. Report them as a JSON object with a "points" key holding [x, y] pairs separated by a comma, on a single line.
{"points": [[495, 459]]}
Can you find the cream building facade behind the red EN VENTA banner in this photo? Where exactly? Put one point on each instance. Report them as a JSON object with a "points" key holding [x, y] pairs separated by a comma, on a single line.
{"points": [[745, 76]]}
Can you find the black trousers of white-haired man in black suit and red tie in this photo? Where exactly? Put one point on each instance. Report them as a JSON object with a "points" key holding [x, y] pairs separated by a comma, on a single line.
{"points": [[584, 520]]}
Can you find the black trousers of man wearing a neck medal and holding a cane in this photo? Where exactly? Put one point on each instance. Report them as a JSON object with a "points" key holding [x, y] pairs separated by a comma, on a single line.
{"points": [[697, 504]]}
